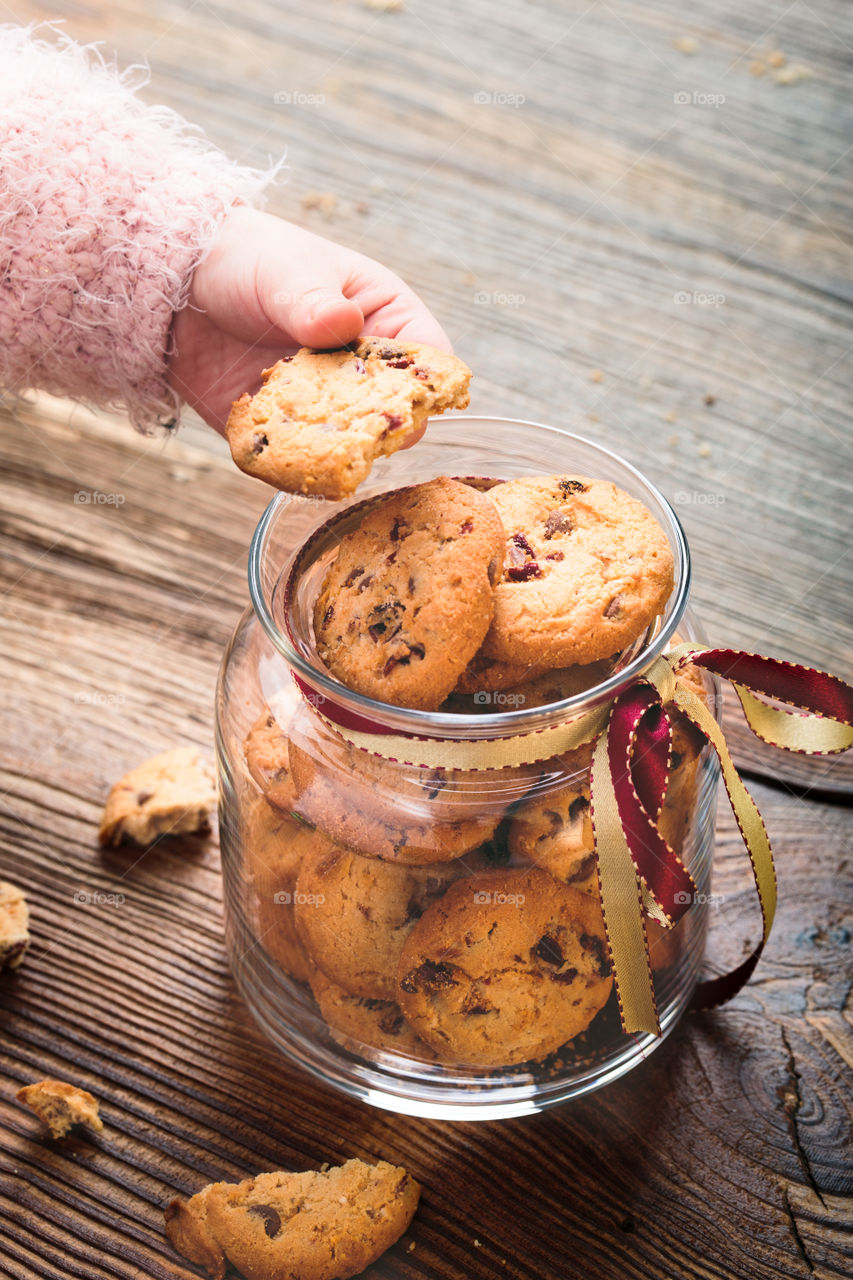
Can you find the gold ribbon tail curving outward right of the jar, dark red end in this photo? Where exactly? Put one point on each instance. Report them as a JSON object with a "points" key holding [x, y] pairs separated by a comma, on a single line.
{"points": [[714, 991]]}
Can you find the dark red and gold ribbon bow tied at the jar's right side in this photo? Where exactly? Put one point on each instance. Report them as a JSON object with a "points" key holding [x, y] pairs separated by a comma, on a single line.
{"points": [[637, 870]]}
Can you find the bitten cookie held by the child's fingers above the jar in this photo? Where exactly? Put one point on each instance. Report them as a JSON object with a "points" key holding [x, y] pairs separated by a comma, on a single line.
{"points": [[322, 418]]}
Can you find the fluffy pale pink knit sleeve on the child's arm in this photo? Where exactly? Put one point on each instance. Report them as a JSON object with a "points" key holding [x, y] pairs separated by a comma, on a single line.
{"points": [[107, 207]]}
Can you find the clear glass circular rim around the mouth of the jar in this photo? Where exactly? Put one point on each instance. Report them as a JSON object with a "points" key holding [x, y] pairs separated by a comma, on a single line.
{"points": [[427, 724]]}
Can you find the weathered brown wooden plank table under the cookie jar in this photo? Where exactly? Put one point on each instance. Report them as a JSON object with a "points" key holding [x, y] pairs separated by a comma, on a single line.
{"points": [[632, 240]]}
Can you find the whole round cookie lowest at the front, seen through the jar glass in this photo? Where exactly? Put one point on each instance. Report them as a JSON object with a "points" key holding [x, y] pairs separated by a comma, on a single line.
{"points": [[505, 968]]}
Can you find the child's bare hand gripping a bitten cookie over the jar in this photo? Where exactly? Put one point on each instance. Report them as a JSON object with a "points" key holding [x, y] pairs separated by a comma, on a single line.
{"points": [[268, 287]]}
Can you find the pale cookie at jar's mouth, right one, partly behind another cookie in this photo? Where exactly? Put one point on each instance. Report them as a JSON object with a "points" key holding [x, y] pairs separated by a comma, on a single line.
{"points": [[587, 570]]}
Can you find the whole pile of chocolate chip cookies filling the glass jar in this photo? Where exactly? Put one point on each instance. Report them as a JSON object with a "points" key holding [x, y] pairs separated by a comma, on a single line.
{"points": [[453, 916]]}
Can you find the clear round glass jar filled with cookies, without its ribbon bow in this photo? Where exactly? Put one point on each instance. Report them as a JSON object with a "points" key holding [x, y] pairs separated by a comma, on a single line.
{"points": [[412, 922]]}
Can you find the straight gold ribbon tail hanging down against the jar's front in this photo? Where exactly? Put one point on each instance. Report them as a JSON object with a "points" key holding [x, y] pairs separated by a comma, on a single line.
{"points": [[622, 903]]}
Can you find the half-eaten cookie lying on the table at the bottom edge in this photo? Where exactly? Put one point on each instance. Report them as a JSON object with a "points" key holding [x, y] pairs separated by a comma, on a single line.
{"points": [[326, 1226]]}
